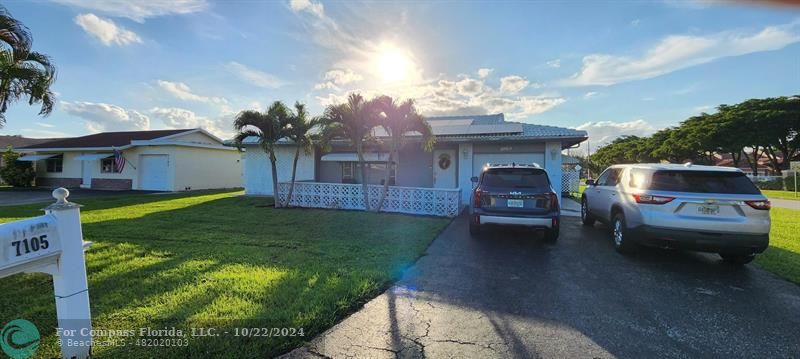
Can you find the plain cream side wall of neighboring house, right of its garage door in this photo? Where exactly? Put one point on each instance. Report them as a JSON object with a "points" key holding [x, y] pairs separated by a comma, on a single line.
{"points": [[201, 168]]}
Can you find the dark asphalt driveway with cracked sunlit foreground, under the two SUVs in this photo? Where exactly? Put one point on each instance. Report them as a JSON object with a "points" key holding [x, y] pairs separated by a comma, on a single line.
{"points": [[509, 295]]}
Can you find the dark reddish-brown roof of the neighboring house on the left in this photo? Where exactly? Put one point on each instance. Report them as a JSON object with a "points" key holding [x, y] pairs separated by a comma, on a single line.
{"points": [[106, 139]]}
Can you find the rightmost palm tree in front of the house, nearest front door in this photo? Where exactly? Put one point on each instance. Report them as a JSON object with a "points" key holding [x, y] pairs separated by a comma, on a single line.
{"points": [[400, 120]]}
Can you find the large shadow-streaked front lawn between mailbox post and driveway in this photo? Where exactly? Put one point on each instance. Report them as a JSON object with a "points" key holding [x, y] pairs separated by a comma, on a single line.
{"points": [[217, 259]]}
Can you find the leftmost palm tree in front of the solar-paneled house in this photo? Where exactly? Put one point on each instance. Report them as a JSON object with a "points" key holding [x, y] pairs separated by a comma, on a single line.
{"points": [[269, 127]]}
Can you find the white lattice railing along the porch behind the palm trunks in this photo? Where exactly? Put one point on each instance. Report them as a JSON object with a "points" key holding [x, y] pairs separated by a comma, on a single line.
{"points": [[412, 200]]}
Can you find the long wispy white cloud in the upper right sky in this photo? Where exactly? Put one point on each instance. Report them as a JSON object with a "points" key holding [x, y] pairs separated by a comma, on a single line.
{"points": [[681, 51]]}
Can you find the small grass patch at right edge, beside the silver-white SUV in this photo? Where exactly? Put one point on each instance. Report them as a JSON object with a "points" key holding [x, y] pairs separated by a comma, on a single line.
{"points": [[783, 255]]}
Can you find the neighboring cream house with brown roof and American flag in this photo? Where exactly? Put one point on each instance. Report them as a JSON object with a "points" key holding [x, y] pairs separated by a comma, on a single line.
{"points": [[161, 160]]}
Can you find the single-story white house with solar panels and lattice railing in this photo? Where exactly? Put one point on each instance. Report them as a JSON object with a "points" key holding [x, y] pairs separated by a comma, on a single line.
{"points": [[464, 144]]}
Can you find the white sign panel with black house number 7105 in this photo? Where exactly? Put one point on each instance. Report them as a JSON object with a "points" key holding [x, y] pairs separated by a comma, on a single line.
{"points": [[28, 244]]}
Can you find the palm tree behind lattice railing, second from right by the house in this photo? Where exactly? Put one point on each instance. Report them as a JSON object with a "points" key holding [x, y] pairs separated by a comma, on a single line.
{"points": [[354, 121]]}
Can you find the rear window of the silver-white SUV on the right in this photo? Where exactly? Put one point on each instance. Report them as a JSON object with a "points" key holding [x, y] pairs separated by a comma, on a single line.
{"points": [[694, 181]]}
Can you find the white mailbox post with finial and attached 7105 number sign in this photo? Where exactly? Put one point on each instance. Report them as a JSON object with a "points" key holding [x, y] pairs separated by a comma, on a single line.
{"points": [[53, 244]]}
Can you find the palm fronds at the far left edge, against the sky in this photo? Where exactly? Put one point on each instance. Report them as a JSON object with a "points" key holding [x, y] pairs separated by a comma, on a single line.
{"points": [[23, 73]]}
